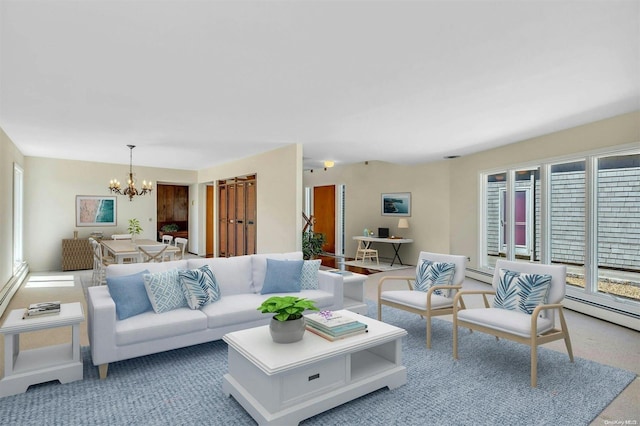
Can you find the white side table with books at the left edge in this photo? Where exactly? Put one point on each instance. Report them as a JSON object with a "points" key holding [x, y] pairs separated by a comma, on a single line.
{"points": [[29, 367]]}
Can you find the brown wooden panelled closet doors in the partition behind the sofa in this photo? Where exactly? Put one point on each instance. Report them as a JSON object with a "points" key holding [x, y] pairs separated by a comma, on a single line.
{"points": [[237, 216]]}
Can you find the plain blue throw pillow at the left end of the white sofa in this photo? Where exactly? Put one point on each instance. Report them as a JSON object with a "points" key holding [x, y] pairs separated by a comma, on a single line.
{"points": [[129, 294]]}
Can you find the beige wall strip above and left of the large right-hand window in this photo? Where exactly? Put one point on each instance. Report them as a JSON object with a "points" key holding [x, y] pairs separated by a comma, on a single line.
{"points": [[620, 130]]}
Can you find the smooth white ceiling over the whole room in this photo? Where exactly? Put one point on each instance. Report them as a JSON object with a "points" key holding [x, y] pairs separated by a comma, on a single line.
{"points": [[199, 83]]}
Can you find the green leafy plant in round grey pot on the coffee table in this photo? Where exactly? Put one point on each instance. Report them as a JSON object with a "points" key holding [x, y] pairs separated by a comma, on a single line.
{"points": [[287, 325]]}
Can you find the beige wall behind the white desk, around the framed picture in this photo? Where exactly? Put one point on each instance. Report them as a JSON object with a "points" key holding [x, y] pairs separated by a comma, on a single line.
{"points": [[364, 184]]}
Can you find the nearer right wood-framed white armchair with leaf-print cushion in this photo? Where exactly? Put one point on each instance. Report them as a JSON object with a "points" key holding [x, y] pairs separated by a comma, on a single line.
{"points": [[527, 298]]}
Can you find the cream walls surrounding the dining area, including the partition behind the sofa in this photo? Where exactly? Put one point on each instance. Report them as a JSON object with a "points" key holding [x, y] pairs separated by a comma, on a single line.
{"points": [[51, 186]]}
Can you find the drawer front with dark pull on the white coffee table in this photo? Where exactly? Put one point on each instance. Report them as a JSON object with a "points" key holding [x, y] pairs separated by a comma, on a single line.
{"points": [[306, 381]]}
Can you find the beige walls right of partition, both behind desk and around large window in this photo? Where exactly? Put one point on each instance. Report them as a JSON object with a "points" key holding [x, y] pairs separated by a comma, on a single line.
{"points": [[445, 193]]}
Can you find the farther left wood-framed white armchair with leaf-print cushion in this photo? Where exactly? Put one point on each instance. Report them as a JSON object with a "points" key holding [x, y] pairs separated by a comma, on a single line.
{"points": [[438, 277]]}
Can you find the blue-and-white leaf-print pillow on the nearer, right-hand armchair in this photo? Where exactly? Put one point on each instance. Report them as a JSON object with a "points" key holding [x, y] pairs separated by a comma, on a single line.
{"points": [[521, 292]]}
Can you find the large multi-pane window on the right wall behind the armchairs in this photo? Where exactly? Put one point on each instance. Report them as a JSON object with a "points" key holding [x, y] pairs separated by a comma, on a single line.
{"points": [[583, 212]]}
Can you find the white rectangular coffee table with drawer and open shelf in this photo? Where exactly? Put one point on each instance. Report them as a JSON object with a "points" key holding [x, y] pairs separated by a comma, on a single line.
{"points": [[287, 383]]}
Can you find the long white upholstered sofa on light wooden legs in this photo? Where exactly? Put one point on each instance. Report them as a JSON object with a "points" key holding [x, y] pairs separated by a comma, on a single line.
{"points": [[240, 281]]}
